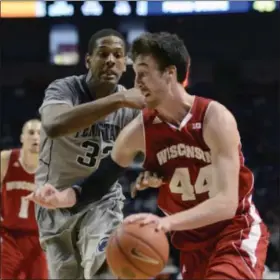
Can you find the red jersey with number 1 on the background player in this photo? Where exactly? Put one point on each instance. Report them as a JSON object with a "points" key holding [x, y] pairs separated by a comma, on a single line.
{"points": [[17, 213]]}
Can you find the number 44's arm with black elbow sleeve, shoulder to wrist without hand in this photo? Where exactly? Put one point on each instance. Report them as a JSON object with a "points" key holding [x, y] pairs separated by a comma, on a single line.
{"points": [[129, 142]]}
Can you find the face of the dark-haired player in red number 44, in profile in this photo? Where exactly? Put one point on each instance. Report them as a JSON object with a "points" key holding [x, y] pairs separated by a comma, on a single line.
{"points": [[153, 83]]}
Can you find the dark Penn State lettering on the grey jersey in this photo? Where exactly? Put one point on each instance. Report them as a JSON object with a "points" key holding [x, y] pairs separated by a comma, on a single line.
{"points": [[108, 131]]}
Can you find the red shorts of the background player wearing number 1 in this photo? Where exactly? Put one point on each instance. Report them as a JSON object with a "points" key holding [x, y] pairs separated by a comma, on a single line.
{"points": [[22, 257]]}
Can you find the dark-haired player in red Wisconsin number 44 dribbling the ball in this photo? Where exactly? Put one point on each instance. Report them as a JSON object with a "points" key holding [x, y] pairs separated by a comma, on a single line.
{"points": [[193, 143]]}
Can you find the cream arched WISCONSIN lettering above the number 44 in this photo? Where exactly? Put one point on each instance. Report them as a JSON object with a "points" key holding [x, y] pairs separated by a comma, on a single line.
{"points": [[182, 150]]}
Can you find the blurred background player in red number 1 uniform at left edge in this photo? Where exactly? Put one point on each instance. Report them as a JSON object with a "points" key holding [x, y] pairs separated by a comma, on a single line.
{"points": [[21, 254]]}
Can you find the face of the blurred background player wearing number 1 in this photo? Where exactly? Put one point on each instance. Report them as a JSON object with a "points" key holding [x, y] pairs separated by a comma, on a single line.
{"points": [[30, 137]]}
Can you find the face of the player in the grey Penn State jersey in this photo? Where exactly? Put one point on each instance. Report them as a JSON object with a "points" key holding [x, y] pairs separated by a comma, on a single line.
{"points": [[108, 61]]}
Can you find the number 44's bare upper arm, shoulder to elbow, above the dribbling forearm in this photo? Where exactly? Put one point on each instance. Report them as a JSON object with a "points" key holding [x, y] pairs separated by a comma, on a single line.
{"points": [[222, 137]]}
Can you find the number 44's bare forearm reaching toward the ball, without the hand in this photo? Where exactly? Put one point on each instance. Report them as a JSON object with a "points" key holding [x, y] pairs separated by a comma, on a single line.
{"points": [[211, 211]]}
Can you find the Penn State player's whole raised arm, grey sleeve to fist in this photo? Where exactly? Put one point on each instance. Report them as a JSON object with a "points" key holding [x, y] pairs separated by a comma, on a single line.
{"points": [[60, 117]]}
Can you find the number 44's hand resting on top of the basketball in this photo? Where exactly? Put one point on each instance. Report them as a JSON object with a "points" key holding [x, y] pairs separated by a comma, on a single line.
{"points": [[146, 218]]}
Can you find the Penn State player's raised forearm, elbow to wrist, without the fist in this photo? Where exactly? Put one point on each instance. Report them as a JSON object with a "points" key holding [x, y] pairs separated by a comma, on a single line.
{"points": [[83, 116]]}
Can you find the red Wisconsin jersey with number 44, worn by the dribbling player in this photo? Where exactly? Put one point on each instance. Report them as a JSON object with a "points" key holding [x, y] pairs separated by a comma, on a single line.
{"points": [[182, 158]]}
